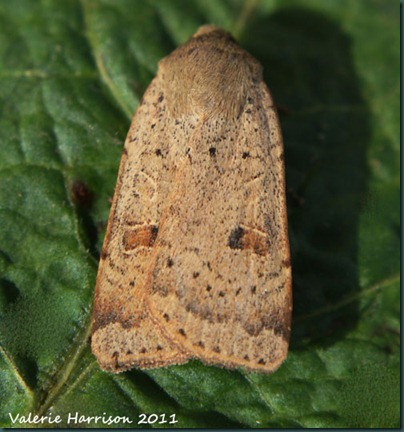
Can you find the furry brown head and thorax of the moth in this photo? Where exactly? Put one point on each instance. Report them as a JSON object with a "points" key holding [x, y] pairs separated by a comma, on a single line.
{"points": [[208, 76]]}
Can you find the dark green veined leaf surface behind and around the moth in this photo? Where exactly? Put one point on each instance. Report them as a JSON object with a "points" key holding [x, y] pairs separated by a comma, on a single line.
{"points": [[72, 73]]}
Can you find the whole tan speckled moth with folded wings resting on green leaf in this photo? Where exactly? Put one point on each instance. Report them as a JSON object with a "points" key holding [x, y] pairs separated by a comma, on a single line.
{"points": [[196, 262]]}
